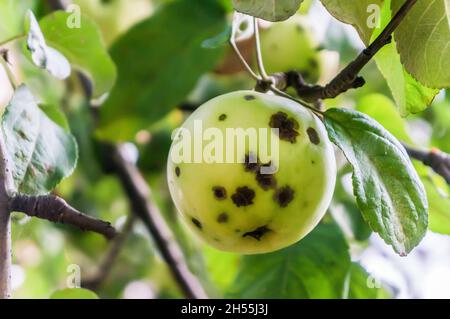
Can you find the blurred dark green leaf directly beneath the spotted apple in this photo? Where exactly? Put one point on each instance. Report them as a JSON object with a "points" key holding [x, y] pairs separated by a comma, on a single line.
{"points": [[315, 267]]}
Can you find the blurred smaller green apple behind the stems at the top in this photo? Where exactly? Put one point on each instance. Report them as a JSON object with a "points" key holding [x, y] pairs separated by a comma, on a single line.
{"points": [[289, 46]]}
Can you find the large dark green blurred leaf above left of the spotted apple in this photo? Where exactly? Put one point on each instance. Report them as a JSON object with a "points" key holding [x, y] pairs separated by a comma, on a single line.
{"points": [[159, 62]]}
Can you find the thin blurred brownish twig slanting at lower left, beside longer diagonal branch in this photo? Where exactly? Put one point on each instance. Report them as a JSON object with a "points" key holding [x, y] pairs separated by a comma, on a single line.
{"points": [[111, 256]]}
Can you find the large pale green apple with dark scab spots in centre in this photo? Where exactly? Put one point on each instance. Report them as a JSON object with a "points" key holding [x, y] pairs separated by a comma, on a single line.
{"points": [[230, 205]]}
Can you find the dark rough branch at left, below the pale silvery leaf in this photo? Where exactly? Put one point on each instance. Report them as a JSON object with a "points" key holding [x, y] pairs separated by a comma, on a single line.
{"points": [[55, 209]]}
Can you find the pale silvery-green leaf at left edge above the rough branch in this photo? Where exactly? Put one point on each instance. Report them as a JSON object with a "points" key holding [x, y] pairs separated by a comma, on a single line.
{"points": [[41, 152]]}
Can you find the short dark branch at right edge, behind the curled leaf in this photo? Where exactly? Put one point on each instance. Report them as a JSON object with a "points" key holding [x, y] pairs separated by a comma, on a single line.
{"points": [[436, 159]]}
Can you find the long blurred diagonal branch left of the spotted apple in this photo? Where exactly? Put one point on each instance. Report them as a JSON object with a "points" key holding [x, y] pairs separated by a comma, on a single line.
{"points": [[139, 195]]}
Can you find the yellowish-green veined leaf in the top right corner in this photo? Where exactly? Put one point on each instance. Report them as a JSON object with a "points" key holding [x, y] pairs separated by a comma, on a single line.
{"points": [[423, 41]]}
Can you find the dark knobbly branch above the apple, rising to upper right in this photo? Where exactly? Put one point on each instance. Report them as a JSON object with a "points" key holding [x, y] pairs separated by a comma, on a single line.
{"points": [[348, 78]]}
